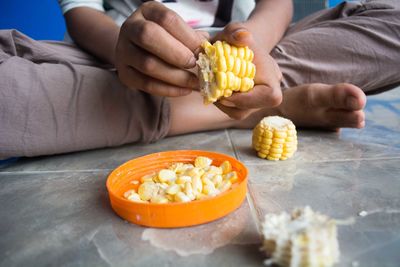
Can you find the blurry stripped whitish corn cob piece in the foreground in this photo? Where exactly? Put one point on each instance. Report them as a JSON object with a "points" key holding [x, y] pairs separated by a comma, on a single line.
{"points": [[304, 238]]}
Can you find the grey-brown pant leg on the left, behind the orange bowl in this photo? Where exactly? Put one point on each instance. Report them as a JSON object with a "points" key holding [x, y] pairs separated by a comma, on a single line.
{"points": [[56, 99]]}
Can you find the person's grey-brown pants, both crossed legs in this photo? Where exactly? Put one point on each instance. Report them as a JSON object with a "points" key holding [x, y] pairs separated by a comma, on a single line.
{"points": [[55, 98]]}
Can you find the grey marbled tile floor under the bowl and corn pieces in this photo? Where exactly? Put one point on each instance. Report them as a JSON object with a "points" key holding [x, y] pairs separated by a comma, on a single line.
{"points": [[55, 212]]}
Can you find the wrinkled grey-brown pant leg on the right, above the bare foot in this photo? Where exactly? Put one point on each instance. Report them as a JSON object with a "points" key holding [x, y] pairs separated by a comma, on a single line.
{"points": [[356, 42]]}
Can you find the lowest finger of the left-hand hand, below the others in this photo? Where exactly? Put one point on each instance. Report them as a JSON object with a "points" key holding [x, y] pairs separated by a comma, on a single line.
{"points": [[134, 79]]}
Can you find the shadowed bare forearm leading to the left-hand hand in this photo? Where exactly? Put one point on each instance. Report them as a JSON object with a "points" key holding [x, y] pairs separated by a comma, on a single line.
{"points": [[93, 31]]}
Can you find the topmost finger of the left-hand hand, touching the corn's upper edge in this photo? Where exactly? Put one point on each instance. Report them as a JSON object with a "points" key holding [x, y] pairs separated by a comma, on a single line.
{"points": [[172, 23]]}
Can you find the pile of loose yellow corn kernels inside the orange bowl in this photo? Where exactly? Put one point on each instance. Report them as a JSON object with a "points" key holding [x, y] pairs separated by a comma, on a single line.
{"points": [[184, 182]]}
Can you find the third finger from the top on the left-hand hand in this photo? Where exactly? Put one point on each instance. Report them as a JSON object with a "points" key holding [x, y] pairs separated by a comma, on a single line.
{"points": [[154, 67]]}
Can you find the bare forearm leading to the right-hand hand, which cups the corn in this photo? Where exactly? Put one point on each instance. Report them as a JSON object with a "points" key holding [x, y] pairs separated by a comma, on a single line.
{"points": [[269, 21]]}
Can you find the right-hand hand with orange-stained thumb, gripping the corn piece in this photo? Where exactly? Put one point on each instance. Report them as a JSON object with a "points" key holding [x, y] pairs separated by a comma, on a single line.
{"points": [[267, 91]]}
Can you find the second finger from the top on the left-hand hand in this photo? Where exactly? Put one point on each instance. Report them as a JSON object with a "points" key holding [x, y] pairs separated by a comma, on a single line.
{"points": [[151, 37]]}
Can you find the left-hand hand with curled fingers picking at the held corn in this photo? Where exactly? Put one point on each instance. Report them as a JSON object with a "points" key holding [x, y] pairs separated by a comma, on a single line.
{"points": [[155, 51]]}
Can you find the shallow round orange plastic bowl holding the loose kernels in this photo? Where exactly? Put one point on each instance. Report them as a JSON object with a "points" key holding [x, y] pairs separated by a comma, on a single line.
{"points": [[173, 214]]}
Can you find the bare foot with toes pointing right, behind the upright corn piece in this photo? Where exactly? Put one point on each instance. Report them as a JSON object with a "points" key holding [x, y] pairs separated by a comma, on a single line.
{"points": [[318, 106]]}
